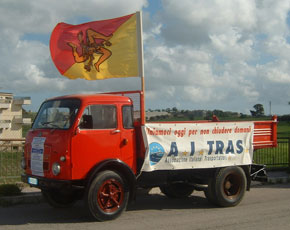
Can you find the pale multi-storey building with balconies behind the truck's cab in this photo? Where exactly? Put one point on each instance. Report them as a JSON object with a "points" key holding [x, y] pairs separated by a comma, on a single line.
{"points": [[11, 119]]}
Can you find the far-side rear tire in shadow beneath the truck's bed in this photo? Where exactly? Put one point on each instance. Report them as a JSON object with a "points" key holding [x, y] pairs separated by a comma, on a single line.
{"points": [[177, 190]]}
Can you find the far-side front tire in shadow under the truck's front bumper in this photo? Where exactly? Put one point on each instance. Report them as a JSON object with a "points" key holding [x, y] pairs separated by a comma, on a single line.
{"points": [[59, 198]]}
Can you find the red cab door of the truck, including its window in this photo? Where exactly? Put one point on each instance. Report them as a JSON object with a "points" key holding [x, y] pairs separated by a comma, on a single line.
{"points": [[98, 138]]}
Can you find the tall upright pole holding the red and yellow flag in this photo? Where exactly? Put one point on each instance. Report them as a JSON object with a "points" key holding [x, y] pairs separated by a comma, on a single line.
{"points": [[141, 64]]}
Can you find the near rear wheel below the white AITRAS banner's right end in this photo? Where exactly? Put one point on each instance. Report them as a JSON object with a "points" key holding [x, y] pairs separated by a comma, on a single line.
{"points": [[230, 186]]}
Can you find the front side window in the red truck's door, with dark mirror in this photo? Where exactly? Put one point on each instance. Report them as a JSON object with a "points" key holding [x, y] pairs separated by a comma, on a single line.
{"points": [[99, 117]]}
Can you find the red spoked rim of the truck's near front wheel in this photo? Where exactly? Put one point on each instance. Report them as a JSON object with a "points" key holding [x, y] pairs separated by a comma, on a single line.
{"points": [[110, 195]]}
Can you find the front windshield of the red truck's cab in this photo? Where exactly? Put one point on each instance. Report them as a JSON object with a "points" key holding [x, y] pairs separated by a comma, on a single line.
{"points": [[57, 114]]}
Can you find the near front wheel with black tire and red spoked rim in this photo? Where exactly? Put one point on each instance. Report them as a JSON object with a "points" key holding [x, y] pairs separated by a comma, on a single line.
{"points": [[107, 196]]}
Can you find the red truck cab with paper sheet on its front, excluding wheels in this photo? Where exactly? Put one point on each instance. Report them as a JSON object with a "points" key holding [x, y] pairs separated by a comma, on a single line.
{"points": [[78, 132]]}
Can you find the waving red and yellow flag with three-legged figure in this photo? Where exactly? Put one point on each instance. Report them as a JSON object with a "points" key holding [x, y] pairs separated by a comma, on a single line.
{"points": [[96, 50]]}
